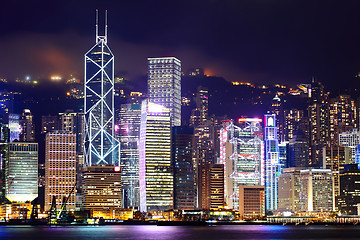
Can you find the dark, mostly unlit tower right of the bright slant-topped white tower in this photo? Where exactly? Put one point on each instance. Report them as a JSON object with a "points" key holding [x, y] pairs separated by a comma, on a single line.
{"points": [[184, 188]]}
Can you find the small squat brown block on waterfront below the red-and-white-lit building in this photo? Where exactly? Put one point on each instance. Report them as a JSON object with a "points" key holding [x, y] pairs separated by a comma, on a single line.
{"points": [[251, 201]]}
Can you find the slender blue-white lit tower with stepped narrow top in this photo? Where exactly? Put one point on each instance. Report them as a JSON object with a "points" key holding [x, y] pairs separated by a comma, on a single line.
{"points": [[272, 164]]}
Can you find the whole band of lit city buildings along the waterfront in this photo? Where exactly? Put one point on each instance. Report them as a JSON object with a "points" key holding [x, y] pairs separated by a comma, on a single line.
{"points": [[138, 156]]}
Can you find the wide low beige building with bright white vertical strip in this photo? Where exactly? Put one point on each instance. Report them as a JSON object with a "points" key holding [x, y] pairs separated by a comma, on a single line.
{"points": [[316, 190]]}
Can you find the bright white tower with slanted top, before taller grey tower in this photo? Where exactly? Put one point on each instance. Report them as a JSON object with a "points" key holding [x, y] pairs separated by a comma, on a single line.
{"points": [[155, 172]]}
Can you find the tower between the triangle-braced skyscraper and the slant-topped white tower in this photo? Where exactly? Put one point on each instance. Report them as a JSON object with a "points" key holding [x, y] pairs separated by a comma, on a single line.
{"points": [[129, 153]]}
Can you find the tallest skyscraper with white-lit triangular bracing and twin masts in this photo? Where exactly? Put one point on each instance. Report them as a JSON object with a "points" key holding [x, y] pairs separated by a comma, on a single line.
{"points": [[100, 146]]}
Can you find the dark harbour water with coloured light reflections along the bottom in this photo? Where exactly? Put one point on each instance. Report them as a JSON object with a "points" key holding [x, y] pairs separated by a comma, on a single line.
{"points": [[179, 232]]}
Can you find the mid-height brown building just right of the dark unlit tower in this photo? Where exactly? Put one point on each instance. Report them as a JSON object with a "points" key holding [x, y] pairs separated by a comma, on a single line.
{"points": [[211, 186]]}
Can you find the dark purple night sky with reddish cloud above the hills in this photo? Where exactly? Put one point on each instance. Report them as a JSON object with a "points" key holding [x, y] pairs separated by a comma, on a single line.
{"points": [[261, 41]]}
